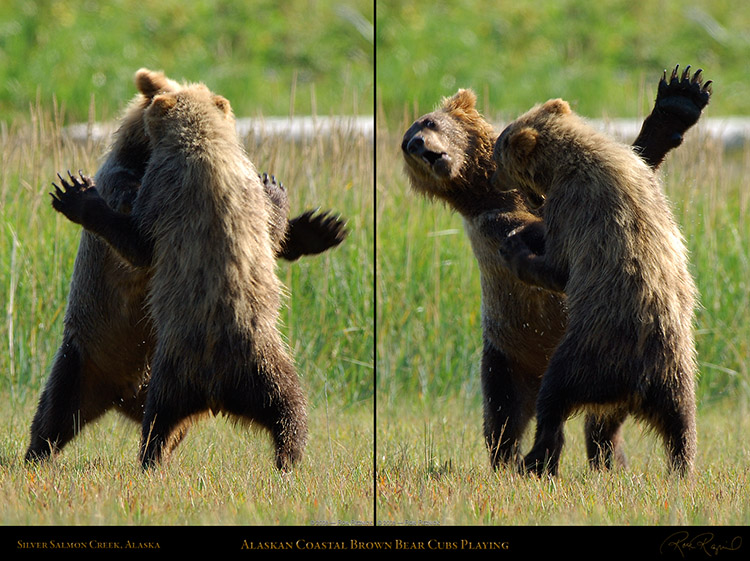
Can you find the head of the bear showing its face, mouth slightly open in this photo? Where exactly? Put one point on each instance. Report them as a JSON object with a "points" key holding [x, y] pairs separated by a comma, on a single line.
{"points": [[444, 148]]}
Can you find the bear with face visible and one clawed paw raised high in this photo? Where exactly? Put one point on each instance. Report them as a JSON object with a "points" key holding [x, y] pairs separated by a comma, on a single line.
{"points": [[448, 156]]}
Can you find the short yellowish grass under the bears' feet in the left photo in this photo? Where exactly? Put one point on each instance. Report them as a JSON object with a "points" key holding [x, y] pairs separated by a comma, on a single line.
{"points": [[221, 474]]}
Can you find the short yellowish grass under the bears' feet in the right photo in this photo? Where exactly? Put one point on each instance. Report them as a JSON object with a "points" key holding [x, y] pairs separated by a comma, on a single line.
{"points": [[433, 469]]}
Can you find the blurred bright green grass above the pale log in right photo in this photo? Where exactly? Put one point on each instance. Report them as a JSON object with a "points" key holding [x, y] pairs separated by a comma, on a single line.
{"points": [[597, 55]]}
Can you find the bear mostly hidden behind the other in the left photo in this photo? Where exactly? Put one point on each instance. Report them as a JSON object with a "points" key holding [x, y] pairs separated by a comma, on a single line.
{"points": [[103, 361]]}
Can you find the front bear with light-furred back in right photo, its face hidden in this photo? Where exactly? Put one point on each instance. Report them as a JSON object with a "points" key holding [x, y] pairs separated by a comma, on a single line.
{"points": [[612, 245]]}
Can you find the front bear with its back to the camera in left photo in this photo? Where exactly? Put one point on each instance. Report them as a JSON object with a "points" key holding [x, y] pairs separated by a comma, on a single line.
{"points": [[200, 223]]}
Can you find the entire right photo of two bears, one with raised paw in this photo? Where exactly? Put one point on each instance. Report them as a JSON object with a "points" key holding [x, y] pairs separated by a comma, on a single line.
{"points": [[563, 318]]}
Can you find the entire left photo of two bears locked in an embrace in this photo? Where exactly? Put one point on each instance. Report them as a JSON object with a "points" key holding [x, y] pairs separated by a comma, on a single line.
{"points": [[187, 264]]}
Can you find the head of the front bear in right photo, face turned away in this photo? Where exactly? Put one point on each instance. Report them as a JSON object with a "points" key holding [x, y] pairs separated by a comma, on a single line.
{"points": [[528, 150]]}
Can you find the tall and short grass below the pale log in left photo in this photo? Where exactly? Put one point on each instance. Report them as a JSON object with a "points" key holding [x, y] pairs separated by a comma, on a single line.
{"points": [[221, 474]]}
